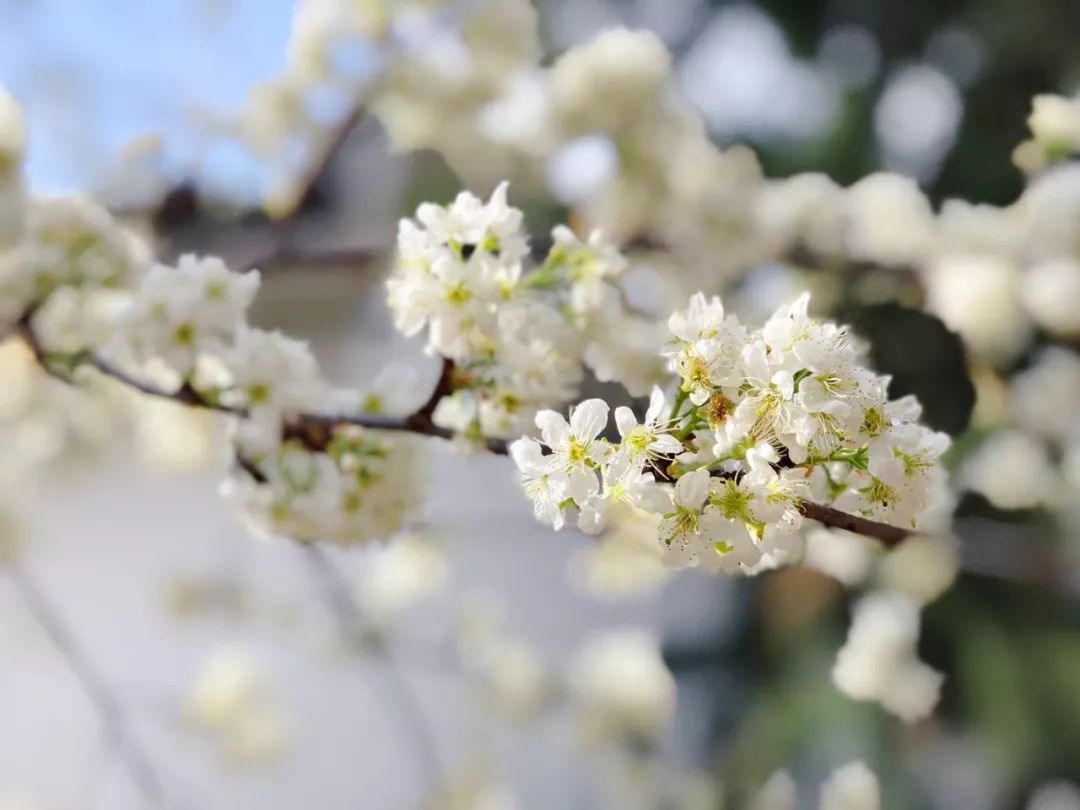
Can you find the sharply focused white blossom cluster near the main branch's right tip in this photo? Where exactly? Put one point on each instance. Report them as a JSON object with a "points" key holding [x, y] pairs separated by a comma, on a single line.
{"points": [[763, 422]]}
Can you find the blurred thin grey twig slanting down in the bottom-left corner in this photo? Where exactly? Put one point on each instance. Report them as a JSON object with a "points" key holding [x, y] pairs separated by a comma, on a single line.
{"points": [[109, 707]]}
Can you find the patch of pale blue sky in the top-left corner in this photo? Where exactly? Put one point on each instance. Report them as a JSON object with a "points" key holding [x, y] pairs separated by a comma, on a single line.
{"points": [[94, 74]]}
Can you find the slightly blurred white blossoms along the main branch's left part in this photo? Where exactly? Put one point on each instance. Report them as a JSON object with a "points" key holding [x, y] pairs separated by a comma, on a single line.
{"points": [[86, 291]]}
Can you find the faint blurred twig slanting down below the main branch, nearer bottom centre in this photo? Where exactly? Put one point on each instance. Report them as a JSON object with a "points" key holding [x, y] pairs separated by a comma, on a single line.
{"points": [[343, 607]]}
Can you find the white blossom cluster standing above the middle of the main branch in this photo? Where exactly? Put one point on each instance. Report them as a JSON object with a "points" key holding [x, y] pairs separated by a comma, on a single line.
{"points": [[519, 339]]}
